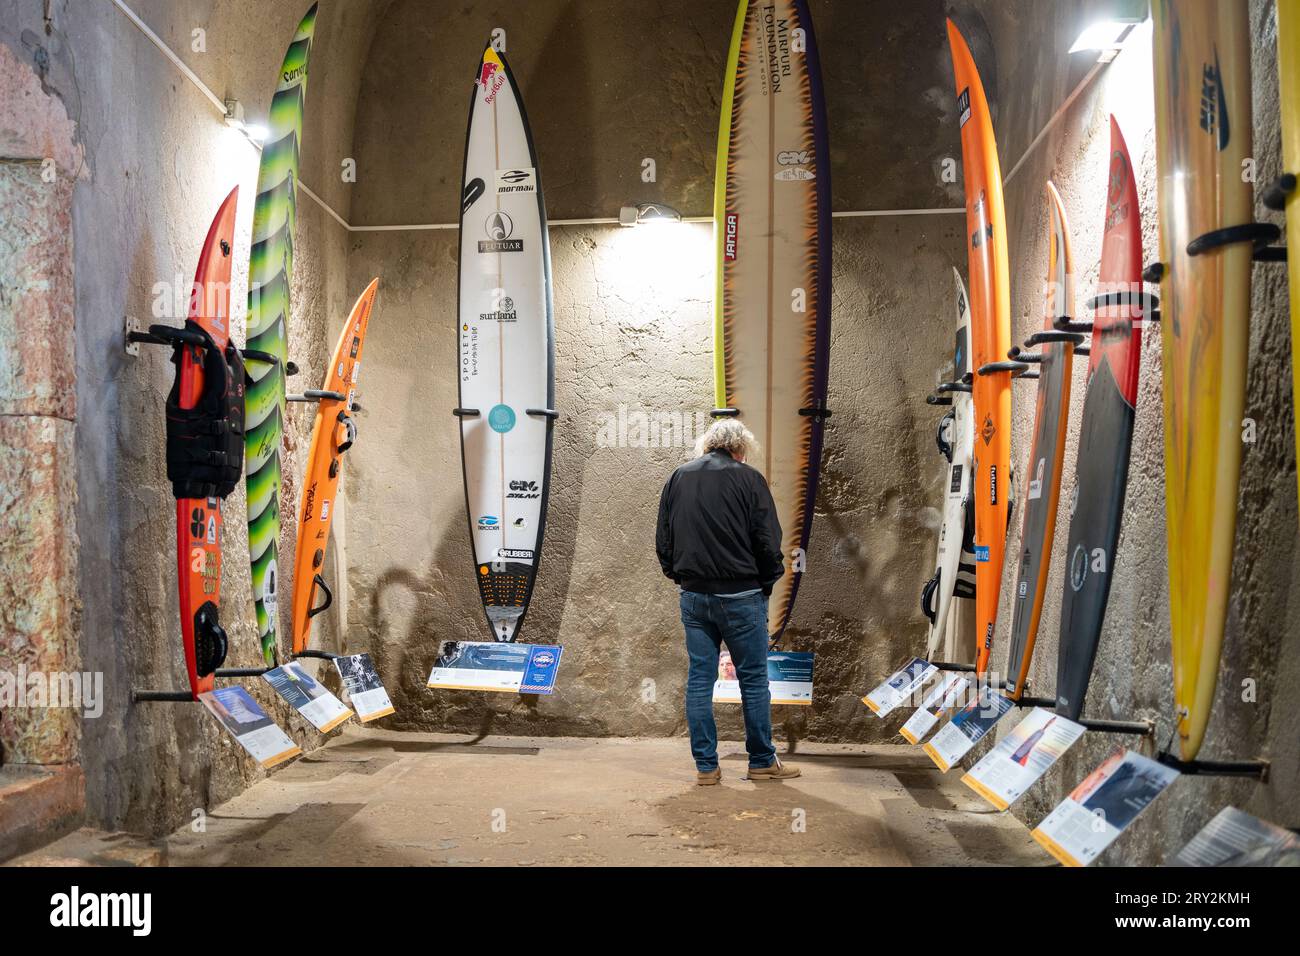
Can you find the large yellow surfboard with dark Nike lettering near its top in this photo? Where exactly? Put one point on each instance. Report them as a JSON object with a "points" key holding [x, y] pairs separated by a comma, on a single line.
{"points": [[1203, 136]]}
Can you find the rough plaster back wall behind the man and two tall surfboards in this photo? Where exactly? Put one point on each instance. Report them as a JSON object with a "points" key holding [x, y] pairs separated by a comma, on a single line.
{"points": [[634, 334]]}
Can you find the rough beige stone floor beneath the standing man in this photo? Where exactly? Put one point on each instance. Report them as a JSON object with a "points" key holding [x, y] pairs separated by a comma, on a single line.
{"points": [[421, 799]]}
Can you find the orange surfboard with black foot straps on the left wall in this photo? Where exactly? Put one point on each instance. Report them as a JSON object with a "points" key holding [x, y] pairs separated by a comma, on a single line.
{"points": [[332, 436]]}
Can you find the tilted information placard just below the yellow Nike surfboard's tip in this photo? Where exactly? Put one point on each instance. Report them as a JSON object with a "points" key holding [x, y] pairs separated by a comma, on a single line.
{"points": [[1100, 808]]}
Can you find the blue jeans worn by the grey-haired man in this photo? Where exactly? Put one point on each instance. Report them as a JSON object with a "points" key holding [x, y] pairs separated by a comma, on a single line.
{"points": [[742, 625]]}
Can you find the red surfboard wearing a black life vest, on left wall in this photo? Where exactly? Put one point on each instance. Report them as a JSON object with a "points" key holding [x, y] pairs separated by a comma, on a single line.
{"points": [[198, 521]]}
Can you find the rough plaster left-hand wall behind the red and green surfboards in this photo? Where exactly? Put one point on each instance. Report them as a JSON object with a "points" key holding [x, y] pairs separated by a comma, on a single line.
{"points": [[157, 163]]}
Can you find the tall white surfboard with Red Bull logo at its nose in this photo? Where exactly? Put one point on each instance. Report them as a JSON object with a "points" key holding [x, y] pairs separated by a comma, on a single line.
{"points": [[508, 348]]}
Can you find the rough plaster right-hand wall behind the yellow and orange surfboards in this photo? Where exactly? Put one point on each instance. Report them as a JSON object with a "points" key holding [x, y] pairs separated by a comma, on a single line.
{"points": [[1134, 678]]}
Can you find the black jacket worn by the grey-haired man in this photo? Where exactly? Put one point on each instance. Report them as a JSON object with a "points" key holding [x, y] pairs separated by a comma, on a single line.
{"points": [[718, 531]]}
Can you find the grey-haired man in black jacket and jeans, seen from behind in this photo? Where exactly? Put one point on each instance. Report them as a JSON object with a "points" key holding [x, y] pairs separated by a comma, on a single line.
{"points": [[720, 540]]}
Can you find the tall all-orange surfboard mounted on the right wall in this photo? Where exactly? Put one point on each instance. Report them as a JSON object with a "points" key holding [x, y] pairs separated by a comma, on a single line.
{"points": [[991, 339]]}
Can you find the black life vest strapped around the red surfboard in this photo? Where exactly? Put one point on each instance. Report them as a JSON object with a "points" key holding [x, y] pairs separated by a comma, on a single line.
{"points": [[205, 444]]}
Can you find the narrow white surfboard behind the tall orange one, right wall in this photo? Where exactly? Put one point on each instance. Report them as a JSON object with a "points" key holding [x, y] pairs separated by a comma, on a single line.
{"points": [[957, 494]]}
